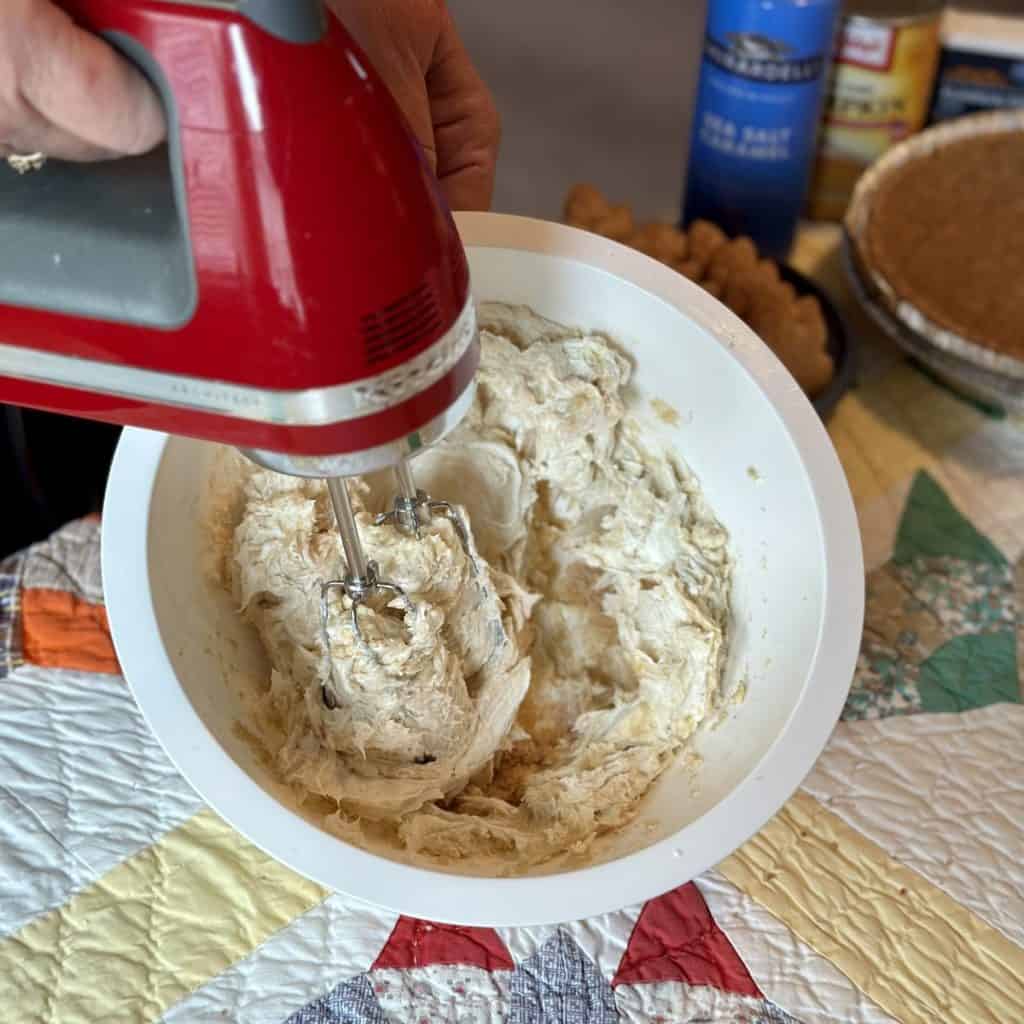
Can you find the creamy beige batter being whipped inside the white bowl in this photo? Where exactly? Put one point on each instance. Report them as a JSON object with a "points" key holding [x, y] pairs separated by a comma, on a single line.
{"points": [[525, 708]]}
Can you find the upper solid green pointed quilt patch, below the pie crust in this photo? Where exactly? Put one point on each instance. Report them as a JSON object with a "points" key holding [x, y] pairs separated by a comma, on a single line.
{"points": [[932, 528]]}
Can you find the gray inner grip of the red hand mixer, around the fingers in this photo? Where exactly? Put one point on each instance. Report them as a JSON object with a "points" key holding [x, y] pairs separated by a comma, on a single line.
{"points": [[107, 241]]}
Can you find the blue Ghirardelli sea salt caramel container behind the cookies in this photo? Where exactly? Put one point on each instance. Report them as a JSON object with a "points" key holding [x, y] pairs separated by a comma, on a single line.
{"points": [[762, 86]]}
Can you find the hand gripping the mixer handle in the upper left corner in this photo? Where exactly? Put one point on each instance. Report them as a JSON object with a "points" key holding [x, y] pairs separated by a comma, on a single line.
{"points": [[66, 94]]}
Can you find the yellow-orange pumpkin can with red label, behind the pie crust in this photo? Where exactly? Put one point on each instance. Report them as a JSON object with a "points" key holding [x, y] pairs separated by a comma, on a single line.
{"points": [[885, 69]]}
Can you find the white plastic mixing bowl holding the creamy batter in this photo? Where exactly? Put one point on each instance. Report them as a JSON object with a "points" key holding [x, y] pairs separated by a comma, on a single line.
{"points": [[767, 467]]}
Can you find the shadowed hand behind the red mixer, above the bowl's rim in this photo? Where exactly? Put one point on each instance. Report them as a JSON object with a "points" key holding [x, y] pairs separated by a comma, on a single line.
{"points": [[416, 50]]}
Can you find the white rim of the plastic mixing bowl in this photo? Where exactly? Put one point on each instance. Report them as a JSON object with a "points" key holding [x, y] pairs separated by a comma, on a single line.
{"points": [[519, 902]]}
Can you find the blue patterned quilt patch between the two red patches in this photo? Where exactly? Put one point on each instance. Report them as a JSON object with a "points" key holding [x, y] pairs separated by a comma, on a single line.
{"points": [[560, 985]]}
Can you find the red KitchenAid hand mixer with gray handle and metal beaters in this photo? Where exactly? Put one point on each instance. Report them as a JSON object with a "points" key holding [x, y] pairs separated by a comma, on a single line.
{"points": [[283, 276]]}
